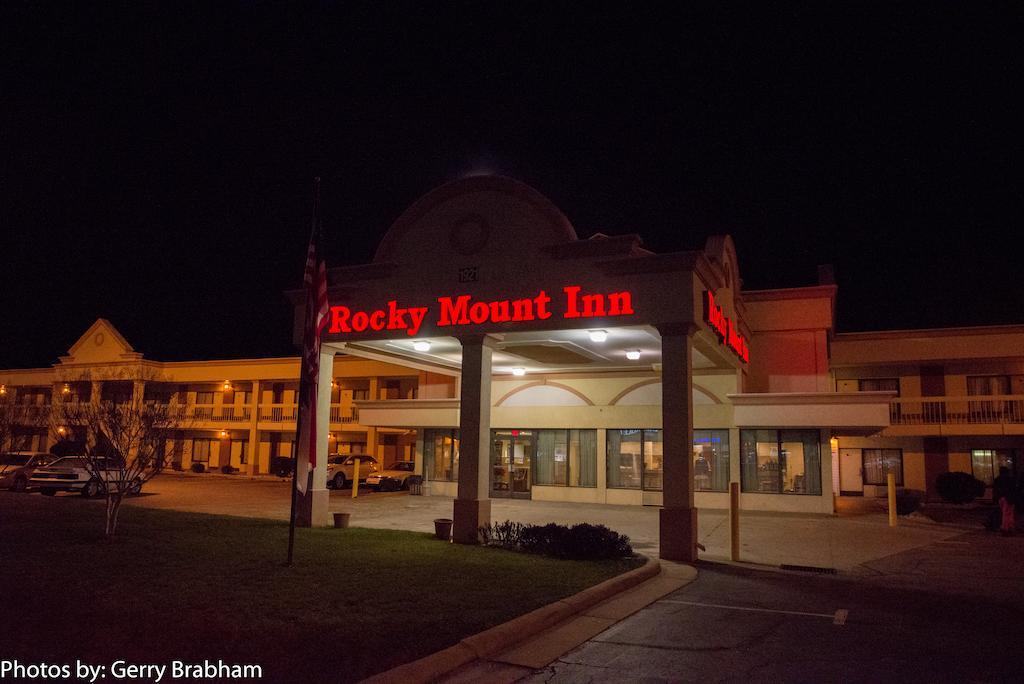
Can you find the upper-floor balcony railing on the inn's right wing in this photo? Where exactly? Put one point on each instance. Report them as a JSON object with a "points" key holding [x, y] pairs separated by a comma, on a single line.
{"points": [[994, 410]]}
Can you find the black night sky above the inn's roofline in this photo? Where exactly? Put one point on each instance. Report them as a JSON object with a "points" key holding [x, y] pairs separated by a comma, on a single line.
{"points": [[156, 164]]}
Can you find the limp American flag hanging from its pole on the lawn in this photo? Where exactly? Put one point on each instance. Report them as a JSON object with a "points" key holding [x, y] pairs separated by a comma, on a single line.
{"points": [[315, 283]]}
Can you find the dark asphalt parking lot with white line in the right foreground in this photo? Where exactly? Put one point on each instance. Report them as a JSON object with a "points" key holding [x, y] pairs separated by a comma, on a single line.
{"points": [[735, 624]]}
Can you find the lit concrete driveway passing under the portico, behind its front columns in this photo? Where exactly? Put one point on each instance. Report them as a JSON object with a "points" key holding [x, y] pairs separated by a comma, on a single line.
{"points": [[845, 543]]}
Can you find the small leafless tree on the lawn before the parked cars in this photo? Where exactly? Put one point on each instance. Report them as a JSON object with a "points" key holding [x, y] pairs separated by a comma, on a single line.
{"points": [[123, 439]]}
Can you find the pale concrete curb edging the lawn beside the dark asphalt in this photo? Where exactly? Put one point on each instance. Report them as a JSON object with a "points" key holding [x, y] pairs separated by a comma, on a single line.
{"points": [[497, 639]]}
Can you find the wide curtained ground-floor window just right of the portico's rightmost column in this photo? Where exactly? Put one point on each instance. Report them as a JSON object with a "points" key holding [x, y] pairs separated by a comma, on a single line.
{"points": [[781, 462]]}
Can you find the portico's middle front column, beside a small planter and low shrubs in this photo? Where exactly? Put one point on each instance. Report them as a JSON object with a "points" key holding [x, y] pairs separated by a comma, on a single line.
{"points": [[473, 506]]}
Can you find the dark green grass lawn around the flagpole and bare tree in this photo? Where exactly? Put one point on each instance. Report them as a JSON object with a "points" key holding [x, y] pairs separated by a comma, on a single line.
{"points": [[189, 587]]}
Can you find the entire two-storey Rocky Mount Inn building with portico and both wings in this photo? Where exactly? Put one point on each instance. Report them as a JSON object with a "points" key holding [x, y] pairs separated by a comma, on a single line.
{"points": [[508, 358]]}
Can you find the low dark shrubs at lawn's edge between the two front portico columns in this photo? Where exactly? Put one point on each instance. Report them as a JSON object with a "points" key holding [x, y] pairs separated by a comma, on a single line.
{"points": [[581, 542]]}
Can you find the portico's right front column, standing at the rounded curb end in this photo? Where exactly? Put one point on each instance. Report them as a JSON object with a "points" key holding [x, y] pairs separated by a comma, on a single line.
{"points": [[678, 518]]}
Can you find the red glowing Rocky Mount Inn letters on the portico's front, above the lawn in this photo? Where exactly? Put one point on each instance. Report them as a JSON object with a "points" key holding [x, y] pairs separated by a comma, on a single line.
{"points": [[464, 311]]}
